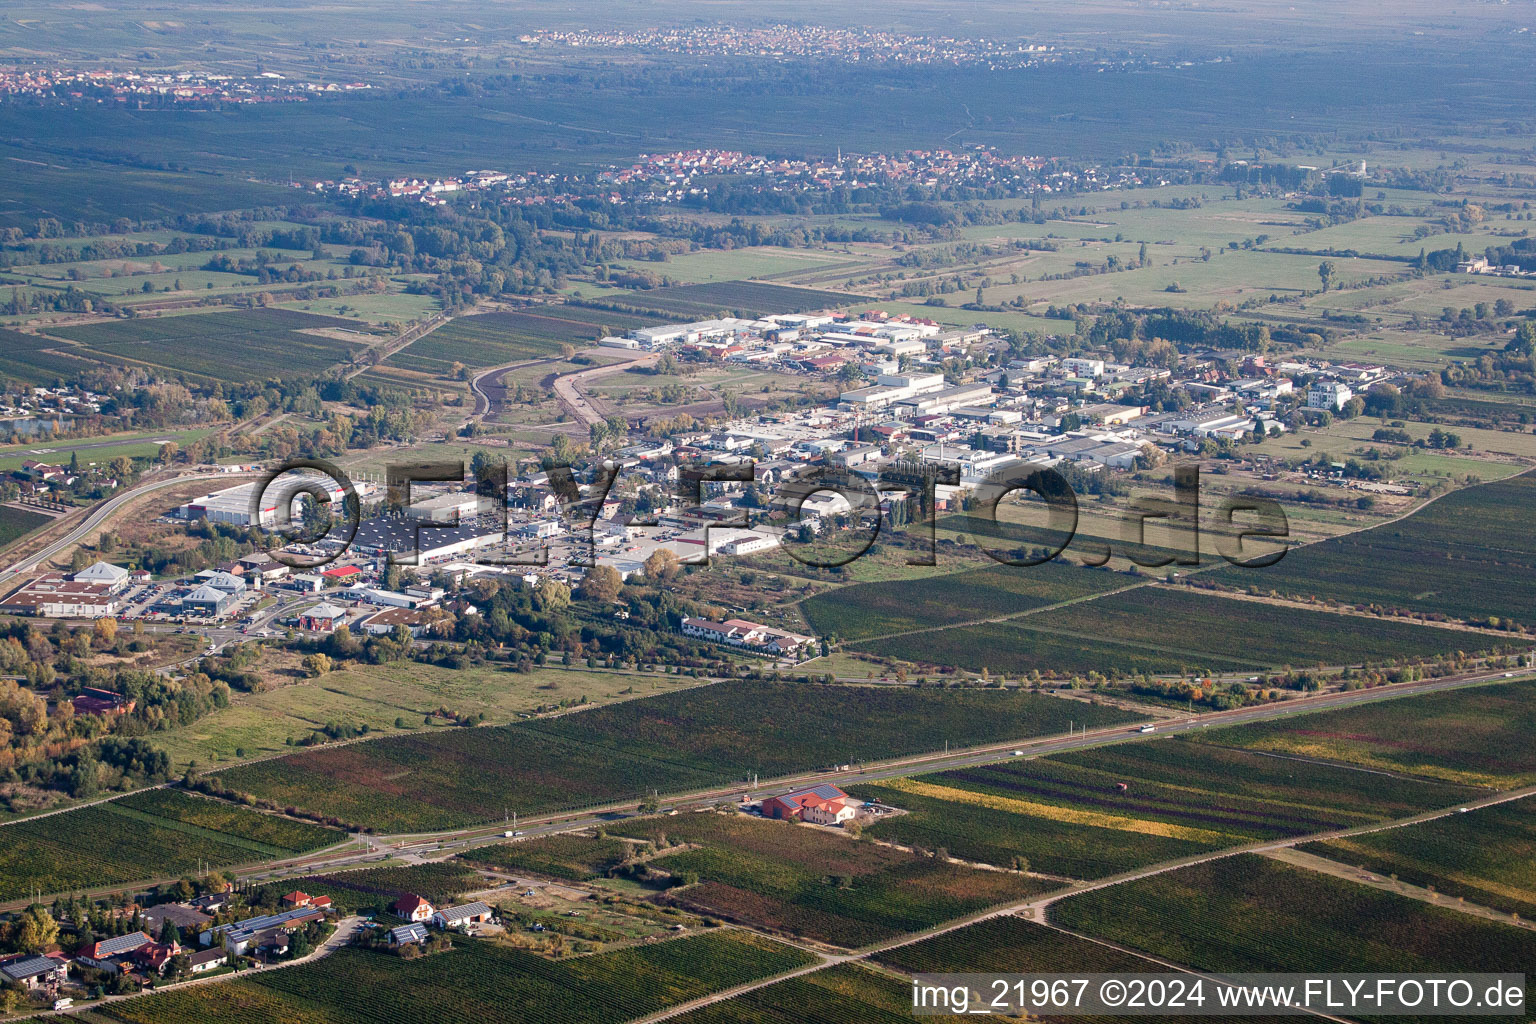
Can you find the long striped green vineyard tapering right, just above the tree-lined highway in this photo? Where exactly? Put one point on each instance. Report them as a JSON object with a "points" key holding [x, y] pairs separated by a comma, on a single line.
{"points": [[1167, 630]]}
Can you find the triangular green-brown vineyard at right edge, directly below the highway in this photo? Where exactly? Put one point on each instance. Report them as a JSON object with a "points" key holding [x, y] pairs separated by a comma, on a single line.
{"points": [[1478, 736]]}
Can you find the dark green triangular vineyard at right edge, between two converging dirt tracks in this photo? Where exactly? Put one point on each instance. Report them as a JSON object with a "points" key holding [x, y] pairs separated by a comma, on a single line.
{"points": [[1486, 856]]}
